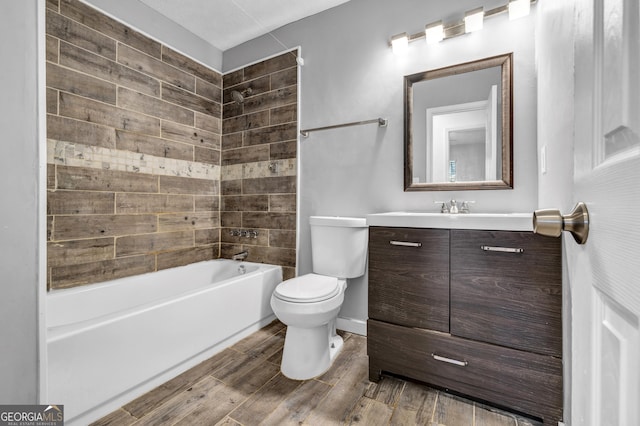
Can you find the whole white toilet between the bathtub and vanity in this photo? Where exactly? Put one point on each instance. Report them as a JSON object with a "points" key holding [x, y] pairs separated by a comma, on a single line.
{"points": [[309, 304]]}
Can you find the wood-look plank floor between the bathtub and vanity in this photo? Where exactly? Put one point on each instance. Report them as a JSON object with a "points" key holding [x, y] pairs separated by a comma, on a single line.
{"points": [[242, 385]]}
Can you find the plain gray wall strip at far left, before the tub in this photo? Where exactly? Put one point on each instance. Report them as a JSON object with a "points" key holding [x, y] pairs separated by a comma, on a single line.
{"points": [[21, 191]]}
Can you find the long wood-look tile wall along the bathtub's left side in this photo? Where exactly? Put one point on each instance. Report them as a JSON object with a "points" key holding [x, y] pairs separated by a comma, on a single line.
{"points": [[134, 135]]}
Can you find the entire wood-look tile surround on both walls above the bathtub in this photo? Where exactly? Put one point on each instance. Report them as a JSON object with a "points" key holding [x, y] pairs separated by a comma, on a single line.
{"points": [[151, 164]]}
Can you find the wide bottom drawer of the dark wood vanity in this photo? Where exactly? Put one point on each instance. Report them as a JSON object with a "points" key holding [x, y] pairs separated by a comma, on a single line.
{"points": [[526, 382]]}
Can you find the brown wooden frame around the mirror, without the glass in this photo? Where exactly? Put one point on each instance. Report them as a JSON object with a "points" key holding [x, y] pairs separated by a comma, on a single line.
{"points": [[506, 95]]}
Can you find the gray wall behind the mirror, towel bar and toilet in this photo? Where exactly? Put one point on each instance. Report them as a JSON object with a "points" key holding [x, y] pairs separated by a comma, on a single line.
{"points": [[351, 74]]}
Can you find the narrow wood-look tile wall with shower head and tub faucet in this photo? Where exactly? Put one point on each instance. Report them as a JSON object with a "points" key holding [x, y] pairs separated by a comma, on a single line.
{"points": [[259, 150]]}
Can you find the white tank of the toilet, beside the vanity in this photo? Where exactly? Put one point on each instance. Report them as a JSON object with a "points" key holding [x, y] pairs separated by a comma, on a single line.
{"points": [[339, 245]]}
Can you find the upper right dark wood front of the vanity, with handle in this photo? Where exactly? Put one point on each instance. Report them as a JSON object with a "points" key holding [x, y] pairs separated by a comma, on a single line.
{"points": [[510, 298]]}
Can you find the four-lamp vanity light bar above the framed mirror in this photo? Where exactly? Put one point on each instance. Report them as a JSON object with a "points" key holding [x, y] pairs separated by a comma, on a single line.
{"points": [[473, 21]]}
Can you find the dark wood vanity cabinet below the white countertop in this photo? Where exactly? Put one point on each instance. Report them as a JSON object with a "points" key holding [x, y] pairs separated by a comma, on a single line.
{"points": [[476, 312]]}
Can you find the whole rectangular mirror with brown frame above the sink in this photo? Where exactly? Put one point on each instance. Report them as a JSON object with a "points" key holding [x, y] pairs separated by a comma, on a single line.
{"points": [[458, 127]]}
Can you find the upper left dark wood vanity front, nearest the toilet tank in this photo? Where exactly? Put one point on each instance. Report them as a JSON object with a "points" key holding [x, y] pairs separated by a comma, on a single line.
{"points": [[409, 276]]}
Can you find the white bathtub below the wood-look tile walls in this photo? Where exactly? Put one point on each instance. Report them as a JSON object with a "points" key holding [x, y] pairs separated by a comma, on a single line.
{"points": [[109, 343]]}
